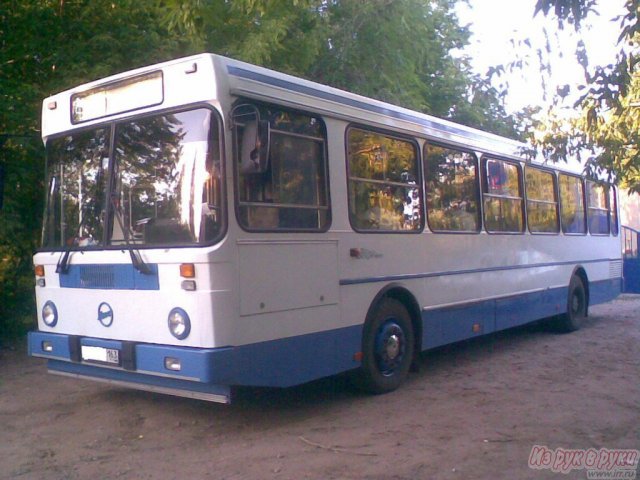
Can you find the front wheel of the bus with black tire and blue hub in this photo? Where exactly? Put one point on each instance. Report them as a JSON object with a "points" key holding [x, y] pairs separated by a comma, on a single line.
{"points": [[388, 345]]}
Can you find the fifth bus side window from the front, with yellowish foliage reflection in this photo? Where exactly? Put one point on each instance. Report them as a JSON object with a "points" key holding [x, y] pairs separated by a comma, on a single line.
{"points": [[542, 203]]}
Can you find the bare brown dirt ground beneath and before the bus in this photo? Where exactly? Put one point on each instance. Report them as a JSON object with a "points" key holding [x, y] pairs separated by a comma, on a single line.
{"points": [[473, 411]]}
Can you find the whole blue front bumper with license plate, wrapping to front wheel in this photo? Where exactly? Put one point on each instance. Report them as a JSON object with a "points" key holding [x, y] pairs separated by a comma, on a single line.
{"points": [[205, 373]]}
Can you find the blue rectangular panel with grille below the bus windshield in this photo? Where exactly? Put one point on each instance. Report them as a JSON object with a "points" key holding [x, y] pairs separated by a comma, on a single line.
{"points": [[110, 277]]}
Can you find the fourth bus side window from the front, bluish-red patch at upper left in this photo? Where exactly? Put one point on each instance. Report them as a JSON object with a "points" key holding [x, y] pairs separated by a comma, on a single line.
{"points": [[502, 197]]}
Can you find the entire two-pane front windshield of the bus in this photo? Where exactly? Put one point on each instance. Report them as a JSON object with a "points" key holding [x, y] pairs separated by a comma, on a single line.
{"points": [[157, 183]]}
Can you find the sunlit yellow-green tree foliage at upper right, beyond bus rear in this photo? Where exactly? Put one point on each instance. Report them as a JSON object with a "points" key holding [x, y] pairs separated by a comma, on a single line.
{"points": [[605, 134]]}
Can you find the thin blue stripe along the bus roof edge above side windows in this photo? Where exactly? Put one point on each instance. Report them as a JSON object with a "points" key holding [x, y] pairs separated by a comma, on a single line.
{"points": [[314, 92]]}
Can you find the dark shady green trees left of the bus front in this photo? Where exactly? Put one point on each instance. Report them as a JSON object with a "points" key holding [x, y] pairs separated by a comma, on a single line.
{"points": [[47, 46]]}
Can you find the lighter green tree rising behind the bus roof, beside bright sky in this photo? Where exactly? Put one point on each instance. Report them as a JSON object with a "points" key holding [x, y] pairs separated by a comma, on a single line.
{"points": [[399, 51]]}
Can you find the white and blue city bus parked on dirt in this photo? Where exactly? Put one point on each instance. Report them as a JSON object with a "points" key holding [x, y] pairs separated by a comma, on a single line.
{"points": [[212, 224]]}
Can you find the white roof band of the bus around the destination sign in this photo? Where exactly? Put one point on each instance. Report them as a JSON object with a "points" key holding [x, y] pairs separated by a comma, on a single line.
{"points": [[203, 77]]}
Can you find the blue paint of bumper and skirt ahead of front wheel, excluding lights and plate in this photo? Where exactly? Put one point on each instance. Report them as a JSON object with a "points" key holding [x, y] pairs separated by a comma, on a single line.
{"points": [[277, 363]]}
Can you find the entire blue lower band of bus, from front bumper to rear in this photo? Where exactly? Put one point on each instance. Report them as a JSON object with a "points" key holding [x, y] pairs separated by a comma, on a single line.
{"points": [[291, 361]]}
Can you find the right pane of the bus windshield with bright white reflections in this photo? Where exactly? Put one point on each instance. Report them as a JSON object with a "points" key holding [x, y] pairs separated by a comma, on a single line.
{"points": [[167, 180]]}
